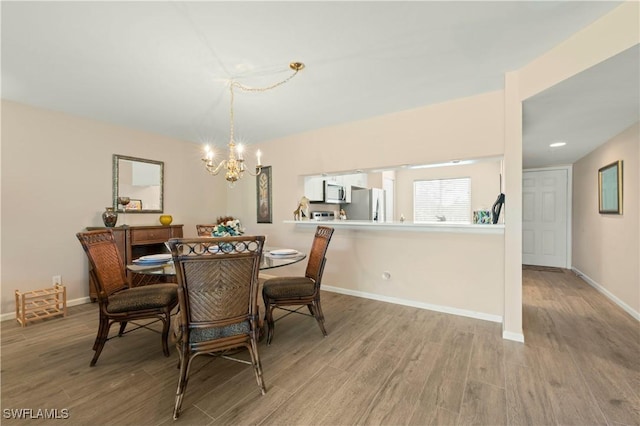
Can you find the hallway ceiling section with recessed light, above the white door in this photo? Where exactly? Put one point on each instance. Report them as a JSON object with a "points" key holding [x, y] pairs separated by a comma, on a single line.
{"points": [[583, 111]]}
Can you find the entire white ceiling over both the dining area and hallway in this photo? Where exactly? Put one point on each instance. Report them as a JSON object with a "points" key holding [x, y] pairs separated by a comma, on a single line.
{"points": [[164, 66]]}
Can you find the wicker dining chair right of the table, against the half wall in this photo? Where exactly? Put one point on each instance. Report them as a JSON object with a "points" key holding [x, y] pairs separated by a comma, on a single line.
{"points": [[293, 291]]}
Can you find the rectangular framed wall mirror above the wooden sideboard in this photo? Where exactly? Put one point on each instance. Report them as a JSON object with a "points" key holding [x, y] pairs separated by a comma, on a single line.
{"points": [[138, 185]]}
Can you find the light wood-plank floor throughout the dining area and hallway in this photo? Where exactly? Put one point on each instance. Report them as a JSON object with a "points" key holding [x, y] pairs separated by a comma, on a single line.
{"points": [[381, 364]]}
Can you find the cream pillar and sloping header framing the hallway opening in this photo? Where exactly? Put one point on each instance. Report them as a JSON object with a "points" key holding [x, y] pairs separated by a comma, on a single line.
{"points": [[608, 36]]}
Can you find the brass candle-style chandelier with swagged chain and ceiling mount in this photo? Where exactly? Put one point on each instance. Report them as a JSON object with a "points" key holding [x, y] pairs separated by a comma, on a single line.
{"points": [[234, 166]]}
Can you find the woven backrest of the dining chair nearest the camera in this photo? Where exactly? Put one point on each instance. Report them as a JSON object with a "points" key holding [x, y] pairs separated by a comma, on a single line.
{"points": [[218, 281]]}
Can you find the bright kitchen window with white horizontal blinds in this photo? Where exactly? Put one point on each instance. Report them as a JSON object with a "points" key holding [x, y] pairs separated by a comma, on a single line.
{"points": [[442, 200]]}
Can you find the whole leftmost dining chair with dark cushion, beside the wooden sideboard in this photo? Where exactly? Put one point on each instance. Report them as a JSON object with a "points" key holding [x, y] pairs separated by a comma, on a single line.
{"points": [[117, 301]]}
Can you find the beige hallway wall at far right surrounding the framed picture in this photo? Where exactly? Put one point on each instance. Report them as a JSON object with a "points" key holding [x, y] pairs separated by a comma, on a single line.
{"points": [[606, 247]]}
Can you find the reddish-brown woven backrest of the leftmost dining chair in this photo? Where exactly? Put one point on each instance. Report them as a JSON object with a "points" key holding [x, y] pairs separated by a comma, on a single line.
{"points": [[107, 268]]}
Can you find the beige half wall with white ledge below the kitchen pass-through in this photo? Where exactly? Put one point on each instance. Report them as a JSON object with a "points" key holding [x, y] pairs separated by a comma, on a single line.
{"points": [[446, 267]]}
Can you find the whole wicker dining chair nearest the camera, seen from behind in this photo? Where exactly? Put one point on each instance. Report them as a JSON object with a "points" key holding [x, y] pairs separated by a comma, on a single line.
{"points": [[217, 293]]}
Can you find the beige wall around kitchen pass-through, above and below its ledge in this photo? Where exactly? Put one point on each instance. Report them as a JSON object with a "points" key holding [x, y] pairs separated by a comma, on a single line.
{"points": [[460, 271]]}
